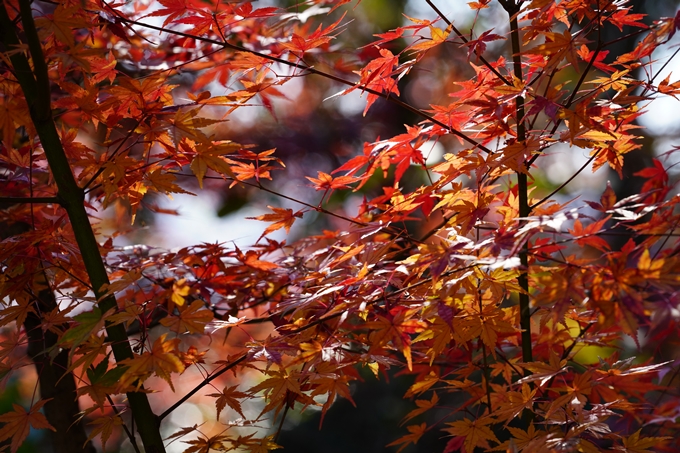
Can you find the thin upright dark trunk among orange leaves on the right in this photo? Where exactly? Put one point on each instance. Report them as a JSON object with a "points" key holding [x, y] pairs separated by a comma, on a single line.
{"points": [[522, 188]]}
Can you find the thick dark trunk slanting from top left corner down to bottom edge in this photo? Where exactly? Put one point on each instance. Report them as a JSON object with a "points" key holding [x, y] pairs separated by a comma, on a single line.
{"points": [[36, 88]]}
